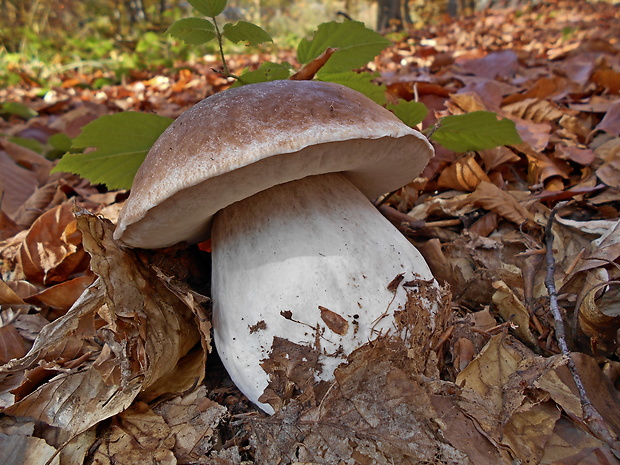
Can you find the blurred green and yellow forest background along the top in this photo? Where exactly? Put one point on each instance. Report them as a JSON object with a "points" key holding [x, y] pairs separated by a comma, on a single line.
{"points": [[49, 37]]}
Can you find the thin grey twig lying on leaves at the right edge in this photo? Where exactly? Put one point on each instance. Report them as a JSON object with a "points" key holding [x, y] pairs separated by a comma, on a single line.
{"points": [[591, 417]]}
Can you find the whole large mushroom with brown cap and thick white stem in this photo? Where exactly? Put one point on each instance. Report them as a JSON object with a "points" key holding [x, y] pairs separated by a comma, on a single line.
{"points": [[279, 176]]}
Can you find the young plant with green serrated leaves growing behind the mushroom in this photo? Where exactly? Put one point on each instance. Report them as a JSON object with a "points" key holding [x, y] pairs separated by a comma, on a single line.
{"points": [[351, 46]]}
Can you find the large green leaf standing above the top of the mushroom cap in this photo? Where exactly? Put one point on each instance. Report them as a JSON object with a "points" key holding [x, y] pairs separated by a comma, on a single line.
{"points": [[357, 45]]}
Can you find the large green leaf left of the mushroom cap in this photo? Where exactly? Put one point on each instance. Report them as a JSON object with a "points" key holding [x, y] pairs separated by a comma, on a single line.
{"points": [[121, 141]]}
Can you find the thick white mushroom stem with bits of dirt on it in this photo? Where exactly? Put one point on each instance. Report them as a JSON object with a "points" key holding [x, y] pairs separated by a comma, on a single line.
{"points": [[310, 243]]}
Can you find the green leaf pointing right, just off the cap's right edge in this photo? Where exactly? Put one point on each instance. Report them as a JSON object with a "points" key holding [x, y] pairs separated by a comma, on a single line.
{"points": [[478, 130]]}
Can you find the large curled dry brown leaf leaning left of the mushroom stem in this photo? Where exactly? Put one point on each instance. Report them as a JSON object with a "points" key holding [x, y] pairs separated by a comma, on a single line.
{"points": [[135, 333]]}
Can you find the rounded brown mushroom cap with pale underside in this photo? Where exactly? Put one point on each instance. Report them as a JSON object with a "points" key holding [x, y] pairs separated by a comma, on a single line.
{"points": [[247, 139]]}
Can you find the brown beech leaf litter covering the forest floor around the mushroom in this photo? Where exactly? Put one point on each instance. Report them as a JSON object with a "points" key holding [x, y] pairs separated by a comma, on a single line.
{"points": [[106, 354]]}
